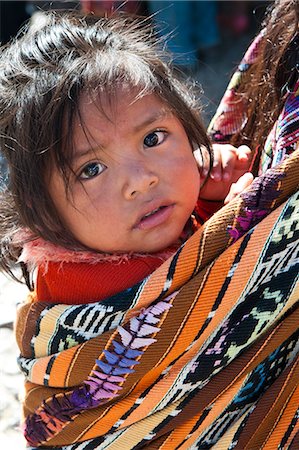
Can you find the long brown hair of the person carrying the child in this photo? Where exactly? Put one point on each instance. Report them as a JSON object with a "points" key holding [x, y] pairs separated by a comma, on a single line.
{"points": [[273, 74]]}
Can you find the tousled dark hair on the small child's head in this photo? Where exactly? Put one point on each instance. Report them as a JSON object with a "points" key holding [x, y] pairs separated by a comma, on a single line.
{"points": [[42, 75]]}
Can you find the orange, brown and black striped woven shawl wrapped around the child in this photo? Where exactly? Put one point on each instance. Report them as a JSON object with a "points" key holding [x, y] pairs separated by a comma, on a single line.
{"points": [[202, 353]]}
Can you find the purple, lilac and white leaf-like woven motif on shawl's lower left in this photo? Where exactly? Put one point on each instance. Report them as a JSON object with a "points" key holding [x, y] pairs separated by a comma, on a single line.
{"points": [[105, 380]]}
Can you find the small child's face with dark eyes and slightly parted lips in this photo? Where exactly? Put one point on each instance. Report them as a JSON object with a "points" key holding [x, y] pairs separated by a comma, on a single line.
{"points": [[136, 182]]}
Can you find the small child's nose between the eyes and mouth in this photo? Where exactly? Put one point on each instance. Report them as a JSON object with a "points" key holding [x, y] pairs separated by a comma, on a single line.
{"points": [[138, 181]]}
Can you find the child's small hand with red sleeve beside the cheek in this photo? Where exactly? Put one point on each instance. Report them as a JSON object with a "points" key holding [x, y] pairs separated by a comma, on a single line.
{"points": [[230, 163]]}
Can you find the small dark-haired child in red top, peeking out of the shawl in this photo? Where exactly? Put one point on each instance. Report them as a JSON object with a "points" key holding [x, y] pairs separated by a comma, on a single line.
{"points": [[100, 138]]}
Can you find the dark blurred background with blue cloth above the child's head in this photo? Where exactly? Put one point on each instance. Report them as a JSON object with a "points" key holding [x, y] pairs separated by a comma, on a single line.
{"points": [[207, 38]]}
